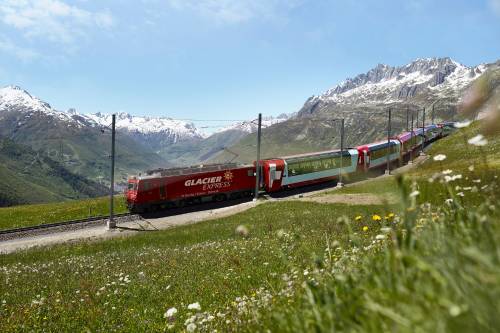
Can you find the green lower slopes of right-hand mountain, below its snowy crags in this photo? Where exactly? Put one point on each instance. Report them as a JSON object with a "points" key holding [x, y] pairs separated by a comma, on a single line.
{"points": [[314, 130]]}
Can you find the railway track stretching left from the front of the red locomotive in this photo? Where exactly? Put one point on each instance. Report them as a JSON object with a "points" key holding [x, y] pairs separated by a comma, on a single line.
{"points": [[41, 229]]}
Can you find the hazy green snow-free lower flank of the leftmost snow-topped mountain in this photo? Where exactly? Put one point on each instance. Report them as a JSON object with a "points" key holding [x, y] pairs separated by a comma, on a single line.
{"points": [[83, 150]]}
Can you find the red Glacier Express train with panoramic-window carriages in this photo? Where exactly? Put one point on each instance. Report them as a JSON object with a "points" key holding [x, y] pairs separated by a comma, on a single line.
{"points": [[176, 187]]}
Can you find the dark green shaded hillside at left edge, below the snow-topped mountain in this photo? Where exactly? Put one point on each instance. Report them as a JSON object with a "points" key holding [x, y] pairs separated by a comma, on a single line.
{"points": [[30, 177]]}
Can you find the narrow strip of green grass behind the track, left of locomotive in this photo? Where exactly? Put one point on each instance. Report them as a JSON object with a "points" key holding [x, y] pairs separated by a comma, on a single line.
{"points": [[27, 215]]}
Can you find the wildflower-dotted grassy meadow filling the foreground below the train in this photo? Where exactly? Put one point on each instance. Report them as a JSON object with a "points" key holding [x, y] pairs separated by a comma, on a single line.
{"points": [[429, 263]]}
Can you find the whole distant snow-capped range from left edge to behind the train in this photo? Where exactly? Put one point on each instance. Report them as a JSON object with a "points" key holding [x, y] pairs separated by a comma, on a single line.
{"points": [[76, 139]]}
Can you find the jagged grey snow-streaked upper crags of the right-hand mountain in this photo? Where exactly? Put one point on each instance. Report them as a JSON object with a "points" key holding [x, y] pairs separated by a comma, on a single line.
{"points": [[440, 77]]}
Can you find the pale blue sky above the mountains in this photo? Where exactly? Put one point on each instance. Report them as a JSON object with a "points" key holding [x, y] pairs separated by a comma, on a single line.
{"points": [[225, 59]]}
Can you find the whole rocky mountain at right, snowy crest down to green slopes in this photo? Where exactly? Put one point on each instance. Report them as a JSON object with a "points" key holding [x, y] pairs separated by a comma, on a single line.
{"points": [[437, 84]]}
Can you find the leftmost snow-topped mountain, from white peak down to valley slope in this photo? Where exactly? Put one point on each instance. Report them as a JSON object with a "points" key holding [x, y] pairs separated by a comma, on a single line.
{"points": [[76, 141]]}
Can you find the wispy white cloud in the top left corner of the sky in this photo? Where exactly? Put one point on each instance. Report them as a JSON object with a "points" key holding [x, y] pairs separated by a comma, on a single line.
{"points": [[52, 19]]}
